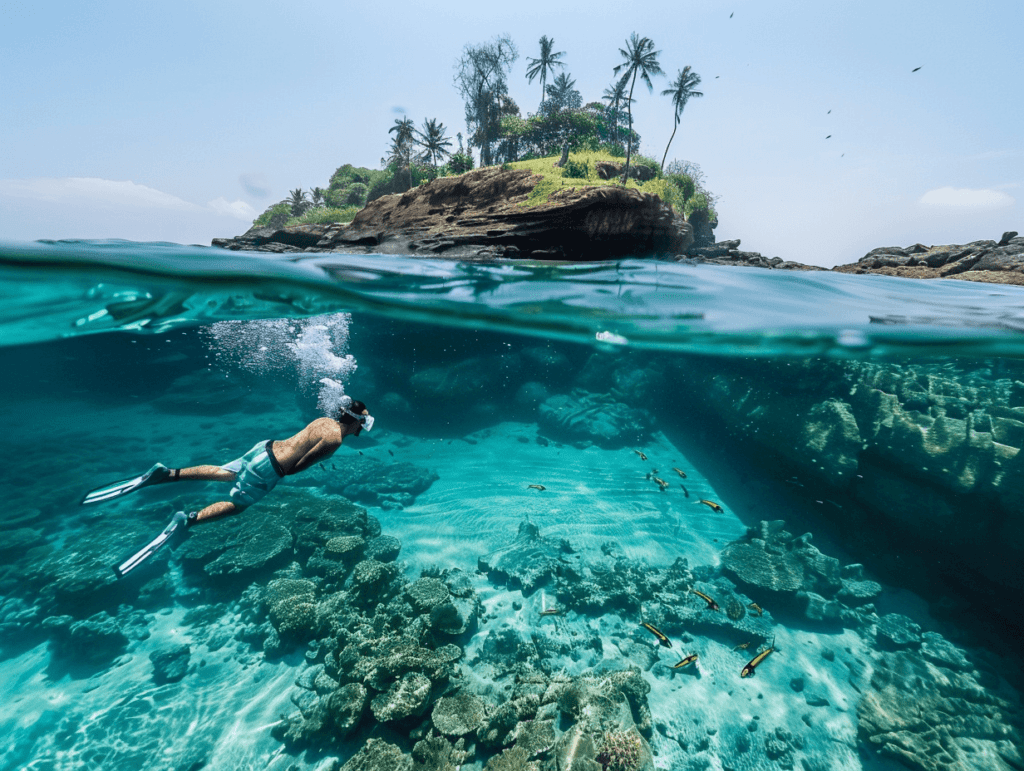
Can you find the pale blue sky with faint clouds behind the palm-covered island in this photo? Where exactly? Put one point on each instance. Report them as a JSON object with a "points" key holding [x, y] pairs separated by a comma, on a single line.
{"points": [[181, 121]]}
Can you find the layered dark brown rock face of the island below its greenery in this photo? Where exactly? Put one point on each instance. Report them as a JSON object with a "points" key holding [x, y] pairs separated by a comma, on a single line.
{"points": [[480, 215]]}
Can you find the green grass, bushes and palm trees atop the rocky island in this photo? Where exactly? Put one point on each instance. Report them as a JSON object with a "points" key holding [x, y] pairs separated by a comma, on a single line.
{"points": [[568, 143]]}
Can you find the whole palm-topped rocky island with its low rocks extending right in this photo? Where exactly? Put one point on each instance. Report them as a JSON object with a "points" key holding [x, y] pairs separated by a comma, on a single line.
{"points": [[563, 184]]}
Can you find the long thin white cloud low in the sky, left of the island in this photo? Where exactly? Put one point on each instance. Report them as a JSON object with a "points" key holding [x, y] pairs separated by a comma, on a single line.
{"points": [[121, 195]]}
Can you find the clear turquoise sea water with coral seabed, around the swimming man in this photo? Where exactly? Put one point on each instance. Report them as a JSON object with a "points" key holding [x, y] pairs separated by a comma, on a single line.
{"points": [[387, 610]]}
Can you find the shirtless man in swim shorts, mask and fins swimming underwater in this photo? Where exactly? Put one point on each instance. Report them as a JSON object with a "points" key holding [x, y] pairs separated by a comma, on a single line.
{"points": [[254, 475]]}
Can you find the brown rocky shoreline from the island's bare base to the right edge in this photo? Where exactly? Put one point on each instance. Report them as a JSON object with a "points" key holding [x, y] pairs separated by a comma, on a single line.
{"points": [[485, 216]]}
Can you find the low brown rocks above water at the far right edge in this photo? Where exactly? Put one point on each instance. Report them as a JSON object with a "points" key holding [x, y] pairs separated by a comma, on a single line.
{"points": [[989, 262]]}
